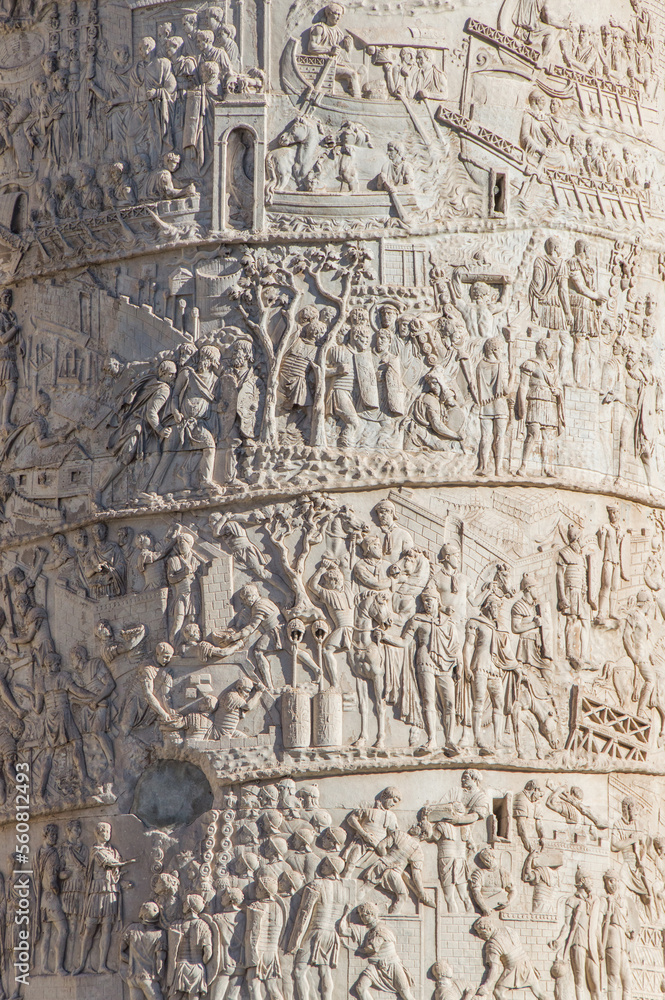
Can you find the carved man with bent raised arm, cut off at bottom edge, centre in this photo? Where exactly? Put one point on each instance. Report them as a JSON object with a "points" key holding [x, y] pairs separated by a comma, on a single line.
{"points": [[385, 971]]}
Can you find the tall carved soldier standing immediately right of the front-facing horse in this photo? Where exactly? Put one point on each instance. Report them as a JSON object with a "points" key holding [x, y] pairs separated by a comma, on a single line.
{"points": [[438, 657]]}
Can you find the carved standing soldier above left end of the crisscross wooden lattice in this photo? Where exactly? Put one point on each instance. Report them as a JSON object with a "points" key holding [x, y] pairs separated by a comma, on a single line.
{"points": [[574, 599]]}
